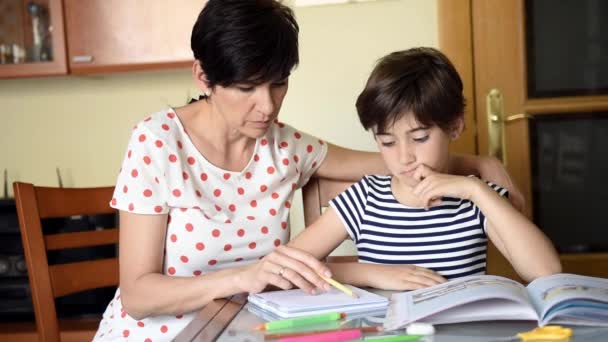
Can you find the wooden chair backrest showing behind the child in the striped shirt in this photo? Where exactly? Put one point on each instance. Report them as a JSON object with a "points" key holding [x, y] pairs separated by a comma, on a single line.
{"points": [[316, 195]]}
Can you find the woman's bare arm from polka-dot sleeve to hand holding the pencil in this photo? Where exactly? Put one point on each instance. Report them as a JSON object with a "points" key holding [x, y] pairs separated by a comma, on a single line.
{"points": [[146, 291]]}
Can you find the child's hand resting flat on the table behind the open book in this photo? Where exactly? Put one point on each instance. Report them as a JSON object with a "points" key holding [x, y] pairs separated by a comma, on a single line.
{"points": [[402, 277]]}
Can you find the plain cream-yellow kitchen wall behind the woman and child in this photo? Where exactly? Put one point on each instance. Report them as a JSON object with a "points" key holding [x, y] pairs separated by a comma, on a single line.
{"points": [[81, 124]]}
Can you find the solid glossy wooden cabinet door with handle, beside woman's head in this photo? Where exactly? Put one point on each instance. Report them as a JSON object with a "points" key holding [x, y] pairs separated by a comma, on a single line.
{"points": [[118, 35]]}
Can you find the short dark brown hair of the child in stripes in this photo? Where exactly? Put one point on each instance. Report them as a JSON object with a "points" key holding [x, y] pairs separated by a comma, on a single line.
{"points": [[419, 80]]}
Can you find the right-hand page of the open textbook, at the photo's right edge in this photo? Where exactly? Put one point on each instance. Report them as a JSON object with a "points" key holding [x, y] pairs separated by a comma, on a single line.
{"points": [[571, 298]]}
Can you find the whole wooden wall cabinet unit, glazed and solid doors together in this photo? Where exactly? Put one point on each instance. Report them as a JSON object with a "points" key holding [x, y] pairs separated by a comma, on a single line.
{"points": [[102, 36]]}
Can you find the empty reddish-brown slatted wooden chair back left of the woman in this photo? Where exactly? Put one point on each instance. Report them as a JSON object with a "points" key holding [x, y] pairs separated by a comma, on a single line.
{"points": [[48, 282]]}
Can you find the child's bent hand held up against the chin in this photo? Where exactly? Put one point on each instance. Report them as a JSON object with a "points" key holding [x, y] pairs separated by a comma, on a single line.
{"points": [[434, 185]]}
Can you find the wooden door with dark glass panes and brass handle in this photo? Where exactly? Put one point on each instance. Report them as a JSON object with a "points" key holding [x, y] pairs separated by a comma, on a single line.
{"points": [[541, 97]]}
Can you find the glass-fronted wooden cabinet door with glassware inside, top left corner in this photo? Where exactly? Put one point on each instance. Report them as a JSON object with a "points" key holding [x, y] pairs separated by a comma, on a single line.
{"points": [[31, 38]]}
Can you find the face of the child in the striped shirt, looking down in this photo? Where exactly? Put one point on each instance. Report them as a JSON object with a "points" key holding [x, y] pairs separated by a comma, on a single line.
{"points": [[407, 145]]}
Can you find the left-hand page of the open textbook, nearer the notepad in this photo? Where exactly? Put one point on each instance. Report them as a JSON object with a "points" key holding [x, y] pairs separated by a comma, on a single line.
{"points": [[487, 294]]}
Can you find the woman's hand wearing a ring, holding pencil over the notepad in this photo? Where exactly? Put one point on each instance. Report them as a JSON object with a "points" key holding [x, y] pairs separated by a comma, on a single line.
{"points": [[285, 268]]}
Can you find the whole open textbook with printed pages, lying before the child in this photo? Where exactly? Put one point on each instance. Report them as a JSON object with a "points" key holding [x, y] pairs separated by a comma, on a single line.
{"points": [[558, 299]]}
